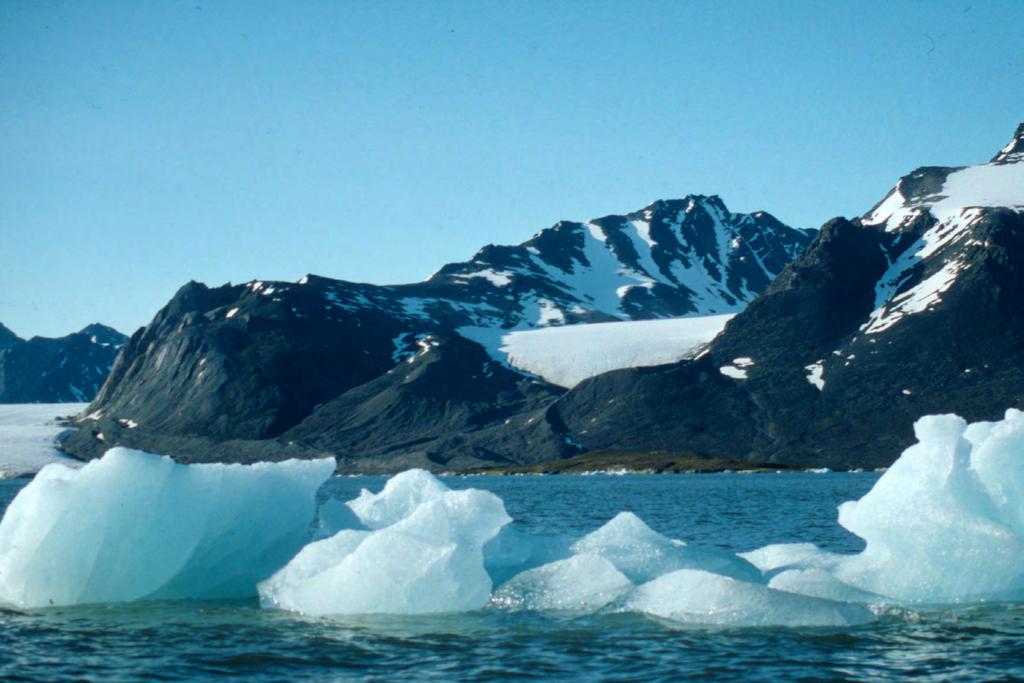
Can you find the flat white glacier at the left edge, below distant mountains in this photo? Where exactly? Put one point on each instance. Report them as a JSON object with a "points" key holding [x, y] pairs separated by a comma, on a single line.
{"points": [[29, 435]]}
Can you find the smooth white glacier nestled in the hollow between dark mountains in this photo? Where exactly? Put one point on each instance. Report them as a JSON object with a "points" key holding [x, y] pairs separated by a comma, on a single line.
{"points": [[567, 356]]}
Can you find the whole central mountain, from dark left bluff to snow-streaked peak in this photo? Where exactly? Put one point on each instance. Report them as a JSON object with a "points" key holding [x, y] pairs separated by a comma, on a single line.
{"points": [[381, 377]]}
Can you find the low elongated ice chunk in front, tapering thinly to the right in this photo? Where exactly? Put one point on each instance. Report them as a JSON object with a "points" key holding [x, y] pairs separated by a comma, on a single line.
{"points": [[691, 596]]}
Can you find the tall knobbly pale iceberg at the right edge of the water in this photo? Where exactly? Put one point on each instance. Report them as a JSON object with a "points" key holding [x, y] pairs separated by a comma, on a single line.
{"points": [[947, 523]]}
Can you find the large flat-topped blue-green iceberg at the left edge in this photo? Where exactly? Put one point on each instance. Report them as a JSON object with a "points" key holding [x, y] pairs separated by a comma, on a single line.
{"points": [[138, 527]]}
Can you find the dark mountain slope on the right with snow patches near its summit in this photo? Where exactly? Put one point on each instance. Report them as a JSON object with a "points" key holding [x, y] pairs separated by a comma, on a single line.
{"points": [[915, 309]]}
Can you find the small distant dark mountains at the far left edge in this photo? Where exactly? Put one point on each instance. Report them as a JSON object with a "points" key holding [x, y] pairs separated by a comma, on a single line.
{"points": [[69, 369]]}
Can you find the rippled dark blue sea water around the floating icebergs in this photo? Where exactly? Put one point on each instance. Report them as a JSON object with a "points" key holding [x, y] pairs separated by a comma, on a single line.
{"points": [[198, 641]]}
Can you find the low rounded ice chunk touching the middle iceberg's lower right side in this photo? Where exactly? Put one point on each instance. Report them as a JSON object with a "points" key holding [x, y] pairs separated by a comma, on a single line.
{"points": [[584, 583]]}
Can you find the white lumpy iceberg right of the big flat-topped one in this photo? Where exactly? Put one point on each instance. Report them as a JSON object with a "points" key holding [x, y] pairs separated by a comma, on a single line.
{"points": [[424, 554]]}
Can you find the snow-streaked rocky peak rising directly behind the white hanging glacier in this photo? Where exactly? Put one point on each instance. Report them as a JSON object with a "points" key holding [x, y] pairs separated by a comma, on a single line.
{"points": [[684, 258]]}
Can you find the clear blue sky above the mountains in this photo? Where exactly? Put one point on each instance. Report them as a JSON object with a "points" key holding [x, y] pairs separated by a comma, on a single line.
{"points": [[147, 144]]}
